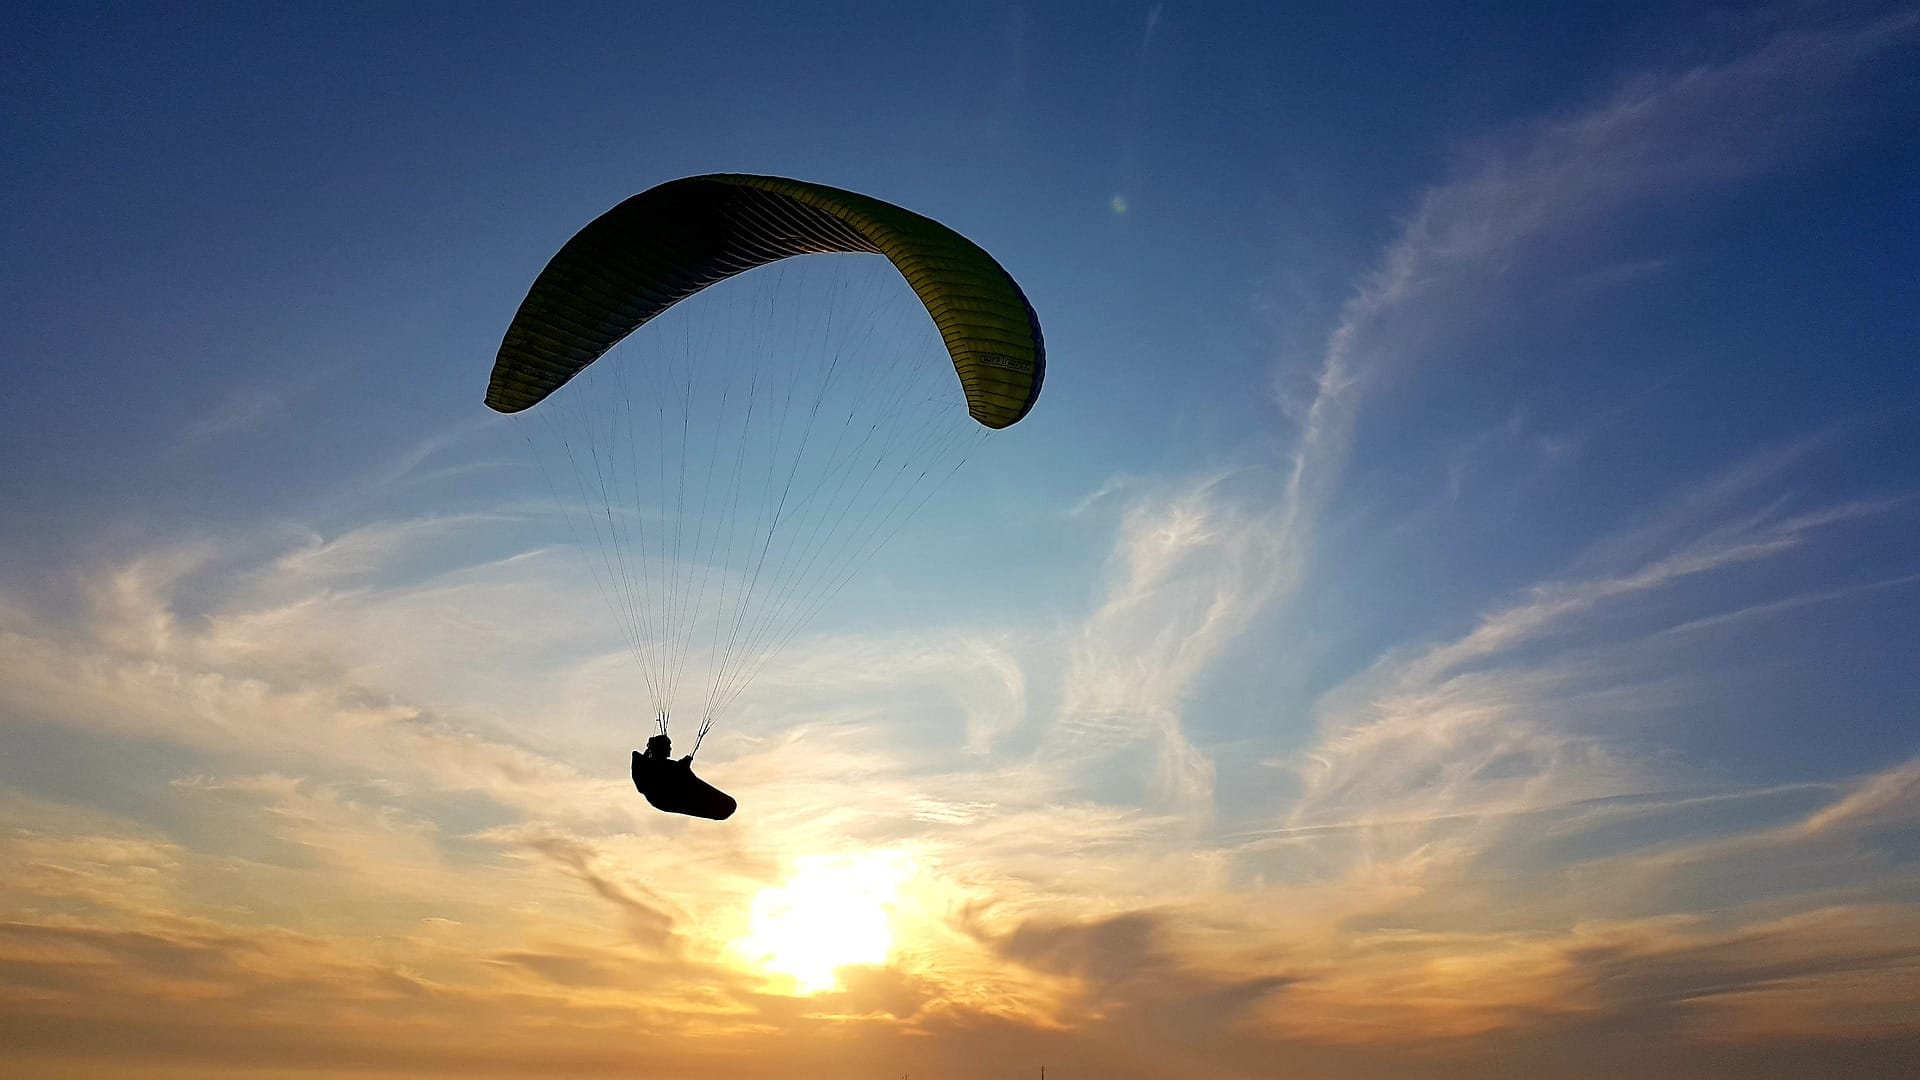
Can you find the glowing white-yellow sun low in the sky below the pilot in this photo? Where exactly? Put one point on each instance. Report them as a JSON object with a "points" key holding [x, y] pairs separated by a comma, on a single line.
{"points": [[832, 912]]}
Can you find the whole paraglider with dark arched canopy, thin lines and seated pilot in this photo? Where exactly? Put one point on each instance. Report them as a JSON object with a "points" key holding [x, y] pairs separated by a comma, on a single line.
{"points": [[750, 466]]}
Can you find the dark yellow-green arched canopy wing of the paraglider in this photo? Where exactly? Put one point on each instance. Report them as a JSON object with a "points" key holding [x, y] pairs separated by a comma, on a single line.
{"points": [[669, 243]]}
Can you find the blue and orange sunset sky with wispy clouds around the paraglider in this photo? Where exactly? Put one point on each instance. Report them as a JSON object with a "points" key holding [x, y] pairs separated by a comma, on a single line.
{"points": [[1452, 610]]}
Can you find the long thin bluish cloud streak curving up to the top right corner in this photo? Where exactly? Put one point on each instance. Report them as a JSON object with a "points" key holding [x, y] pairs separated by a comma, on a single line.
{"points": [[1510, 220]]}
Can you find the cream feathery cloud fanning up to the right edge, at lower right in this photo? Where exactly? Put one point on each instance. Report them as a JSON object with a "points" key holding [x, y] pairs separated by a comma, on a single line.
{"points": [[1439, 758]]}
